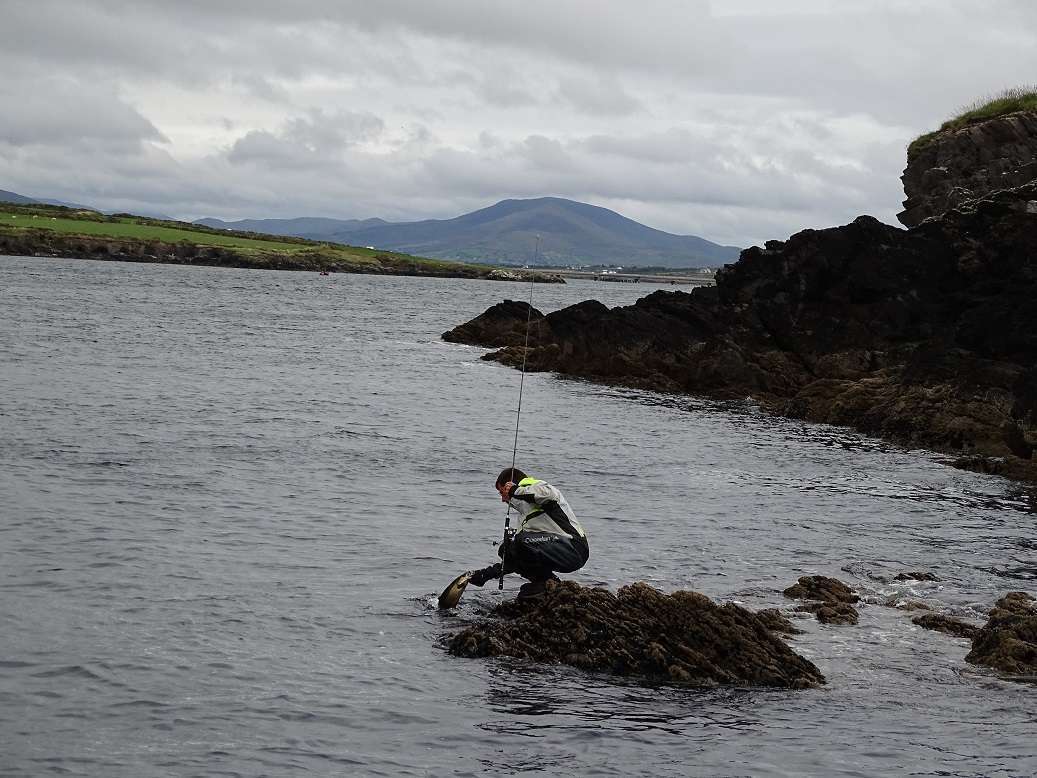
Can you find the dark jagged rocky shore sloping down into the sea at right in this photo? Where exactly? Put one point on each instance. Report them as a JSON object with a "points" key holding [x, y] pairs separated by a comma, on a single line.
{"points": [[926, 337]]}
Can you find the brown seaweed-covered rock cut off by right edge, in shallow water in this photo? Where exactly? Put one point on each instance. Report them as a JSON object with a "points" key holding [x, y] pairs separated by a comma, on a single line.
{"points": [[1008, 642]]}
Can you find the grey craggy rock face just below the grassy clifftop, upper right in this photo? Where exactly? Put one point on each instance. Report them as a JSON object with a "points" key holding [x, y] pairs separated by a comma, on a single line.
{"points": [[950, 169]]}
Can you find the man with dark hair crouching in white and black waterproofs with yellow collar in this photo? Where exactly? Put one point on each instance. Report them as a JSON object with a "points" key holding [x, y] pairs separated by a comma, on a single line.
{"points": [[549, 540]]}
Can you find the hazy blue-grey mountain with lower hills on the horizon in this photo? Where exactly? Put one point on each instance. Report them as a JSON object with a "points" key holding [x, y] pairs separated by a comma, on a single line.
{"points": [[573, 234]]}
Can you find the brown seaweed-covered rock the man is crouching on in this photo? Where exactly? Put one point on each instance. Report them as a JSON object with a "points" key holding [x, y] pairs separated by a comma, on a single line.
{"points": [[684, 637]]}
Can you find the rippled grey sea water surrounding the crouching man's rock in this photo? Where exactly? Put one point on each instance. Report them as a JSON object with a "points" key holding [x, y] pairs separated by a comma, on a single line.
{"points": [[230, 499]]}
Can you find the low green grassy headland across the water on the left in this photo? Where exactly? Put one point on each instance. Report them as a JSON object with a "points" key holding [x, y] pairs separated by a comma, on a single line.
{"points": [[58, 231]]}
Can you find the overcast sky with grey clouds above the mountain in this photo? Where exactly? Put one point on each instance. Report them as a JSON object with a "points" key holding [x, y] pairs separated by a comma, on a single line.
{"points": [[738, 121]]}
